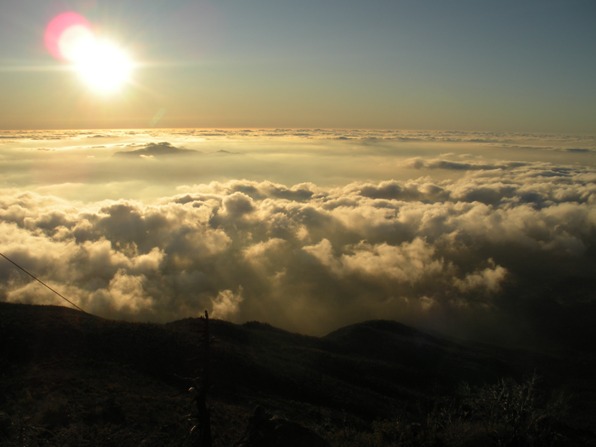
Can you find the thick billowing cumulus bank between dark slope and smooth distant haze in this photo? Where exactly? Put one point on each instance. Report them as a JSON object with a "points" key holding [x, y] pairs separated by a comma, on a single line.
{"points": [[503, 250]]}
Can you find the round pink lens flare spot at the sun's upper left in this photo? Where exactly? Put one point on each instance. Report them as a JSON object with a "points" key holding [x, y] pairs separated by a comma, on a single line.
{"points": [[63, 32]]}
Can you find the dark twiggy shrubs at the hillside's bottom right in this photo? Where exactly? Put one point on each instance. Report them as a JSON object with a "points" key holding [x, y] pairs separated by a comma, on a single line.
{"points": [[503, 414]]}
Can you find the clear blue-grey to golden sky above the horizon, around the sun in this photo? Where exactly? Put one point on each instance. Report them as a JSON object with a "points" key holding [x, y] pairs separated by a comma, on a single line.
{"points": [[399, 64]]}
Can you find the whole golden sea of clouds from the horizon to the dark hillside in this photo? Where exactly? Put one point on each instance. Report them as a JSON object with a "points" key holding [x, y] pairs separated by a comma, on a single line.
{"points": [[487, 236]]}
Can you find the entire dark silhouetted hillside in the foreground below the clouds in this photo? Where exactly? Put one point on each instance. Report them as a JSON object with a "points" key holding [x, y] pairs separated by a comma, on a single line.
{"points": [[73, 379]]}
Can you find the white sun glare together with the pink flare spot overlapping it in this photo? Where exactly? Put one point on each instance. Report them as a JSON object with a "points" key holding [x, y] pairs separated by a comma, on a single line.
{"points": [[101, 64]]}
